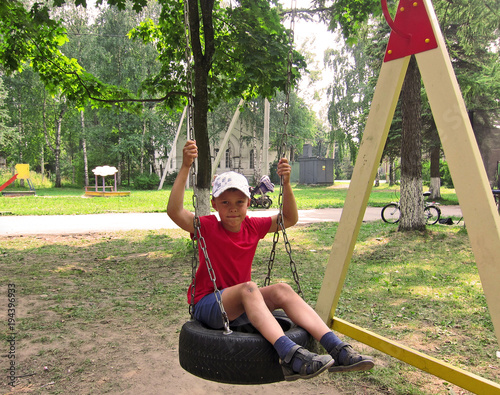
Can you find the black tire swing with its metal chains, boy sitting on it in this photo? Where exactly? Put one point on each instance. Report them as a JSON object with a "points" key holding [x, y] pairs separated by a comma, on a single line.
{"points": [[234, 355]]}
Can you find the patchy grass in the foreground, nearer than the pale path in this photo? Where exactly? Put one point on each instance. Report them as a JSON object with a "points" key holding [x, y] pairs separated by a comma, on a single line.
{"points": [[88, 299]]}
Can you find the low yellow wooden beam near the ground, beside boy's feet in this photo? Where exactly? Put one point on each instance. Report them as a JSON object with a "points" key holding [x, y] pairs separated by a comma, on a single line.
{"points": [[453, 374]]}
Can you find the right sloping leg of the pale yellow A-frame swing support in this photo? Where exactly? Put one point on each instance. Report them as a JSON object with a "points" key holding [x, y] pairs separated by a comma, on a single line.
{"points": [[466, 167]]}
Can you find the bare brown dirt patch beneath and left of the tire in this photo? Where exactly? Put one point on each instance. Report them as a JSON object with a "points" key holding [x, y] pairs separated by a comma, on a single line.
{"points": [[138, 360]]}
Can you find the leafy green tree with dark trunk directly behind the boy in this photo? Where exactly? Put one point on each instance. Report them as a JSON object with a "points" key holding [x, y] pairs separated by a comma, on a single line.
{"points": [[240, 50]]}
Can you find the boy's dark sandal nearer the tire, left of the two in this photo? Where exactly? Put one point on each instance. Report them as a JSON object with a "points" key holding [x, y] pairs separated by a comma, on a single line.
{"points": [[311, 364]]}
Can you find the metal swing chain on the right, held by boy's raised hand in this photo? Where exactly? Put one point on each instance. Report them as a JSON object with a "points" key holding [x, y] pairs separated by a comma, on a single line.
{"points": [[281, 154]]}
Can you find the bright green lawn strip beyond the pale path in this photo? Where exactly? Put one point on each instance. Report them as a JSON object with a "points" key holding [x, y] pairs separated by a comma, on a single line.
{"points": [[69, 201]]}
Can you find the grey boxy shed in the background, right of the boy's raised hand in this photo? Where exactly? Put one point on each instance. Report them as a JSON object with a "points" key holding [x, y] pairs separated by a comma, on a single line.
{"points": [[314, 170]]}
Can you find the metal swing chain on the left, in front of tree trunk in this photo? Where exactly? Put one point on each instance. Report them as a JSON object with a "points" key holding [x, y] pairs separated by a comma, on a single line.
{"points": [[198, 239]]}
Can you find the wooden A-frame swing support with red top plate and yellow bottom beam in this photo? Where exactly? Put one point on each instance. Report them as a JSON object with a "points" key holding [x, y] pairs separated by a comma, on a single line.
{"points": [[469, 177]]}
